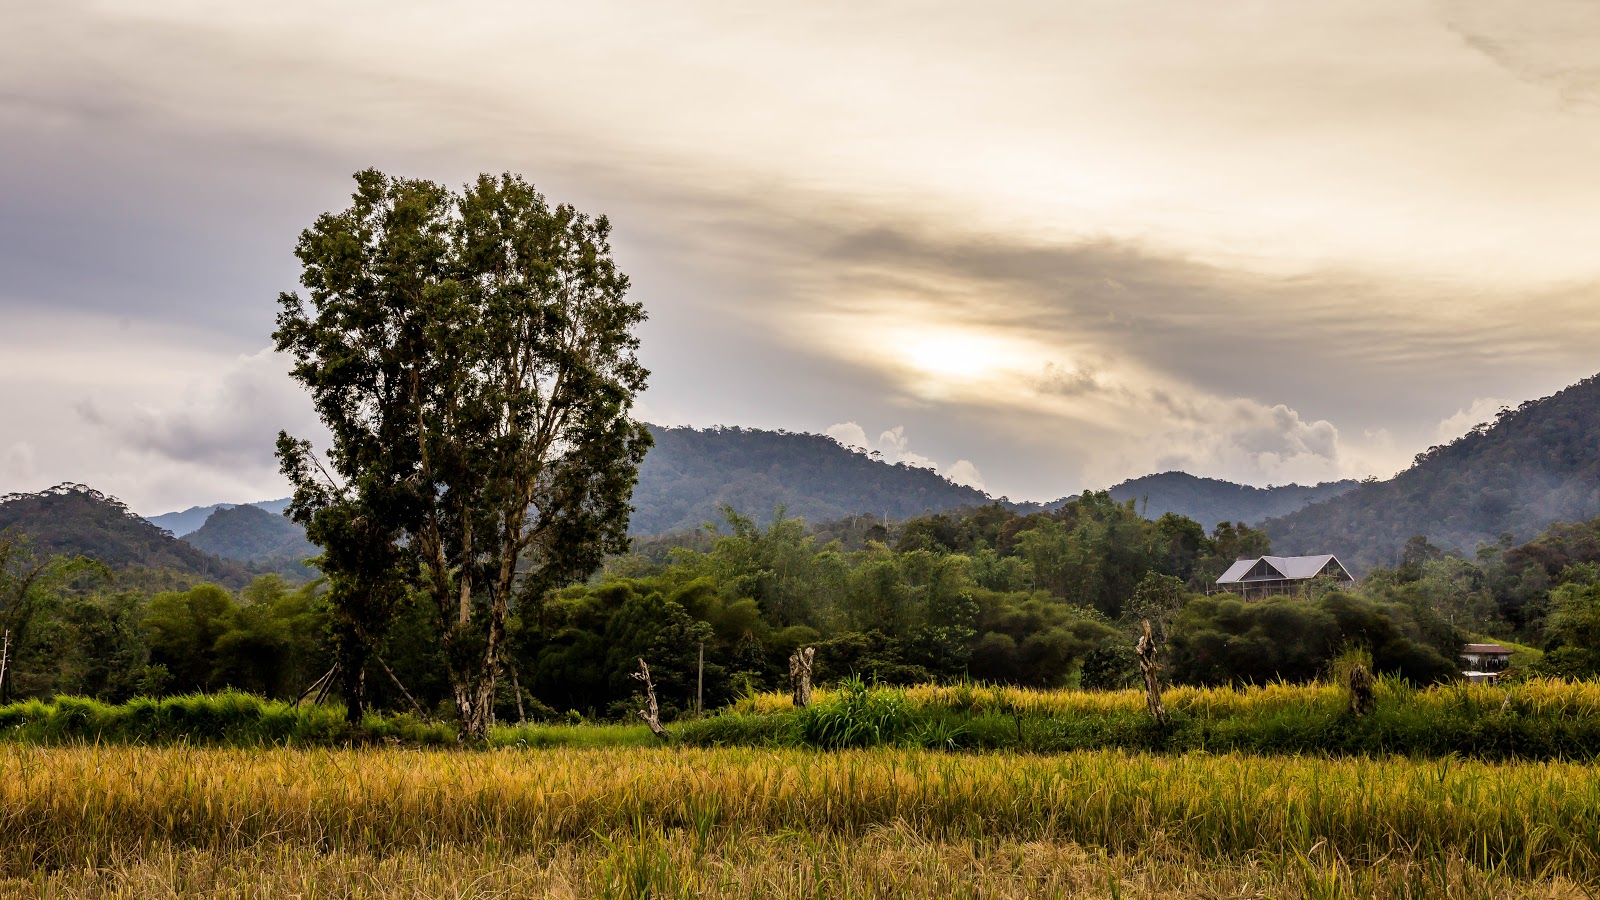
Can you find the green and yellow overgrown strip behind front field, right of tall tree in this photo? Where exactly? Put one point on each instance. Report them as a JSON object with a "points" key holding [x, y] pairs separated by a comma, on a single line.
{"points": [[1538, 720]]}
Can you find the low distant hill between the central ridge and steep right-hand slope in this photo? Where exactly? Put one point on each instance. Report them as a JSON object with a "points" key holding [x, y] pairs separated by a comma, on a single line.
{"points": [[1210, 500]]}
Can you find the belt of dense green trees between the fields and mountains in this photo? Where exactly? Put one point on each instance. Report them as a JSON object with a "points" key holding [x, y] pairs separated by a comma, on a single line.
{"points": [[1049, 600]]}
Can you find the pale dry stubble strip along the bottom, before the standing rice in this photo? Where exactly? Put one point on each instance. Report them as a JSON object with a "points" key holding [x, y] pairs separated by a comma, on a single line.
{"points": [[886, 864]]}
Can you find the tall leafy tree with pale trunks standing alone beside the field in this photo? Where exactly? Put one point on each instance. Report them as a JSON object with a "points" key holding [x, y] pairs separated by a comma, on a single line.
{"points": [[473, 356]]}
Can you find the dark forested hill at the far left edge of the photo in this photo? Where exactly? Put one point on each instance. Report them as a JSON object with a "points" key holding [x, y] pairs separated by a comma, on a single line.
{"points": [[78, 520]]}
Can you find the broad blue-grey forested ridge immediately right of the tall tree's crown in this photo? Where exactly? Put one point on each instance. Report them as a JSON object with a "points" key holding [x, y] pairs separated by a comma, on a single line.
{"points": [[692, 473]]}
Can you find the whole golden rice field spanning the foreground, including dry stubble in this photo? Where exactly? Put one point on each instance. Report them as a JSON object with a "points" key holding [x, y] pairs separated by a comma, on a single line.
{"points": [[684, 822]]}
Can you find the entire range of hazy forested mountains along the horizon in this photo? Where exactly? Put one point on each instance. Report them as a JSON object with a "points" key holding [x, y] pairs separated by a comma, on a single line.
{"points": [[1535, 465]]}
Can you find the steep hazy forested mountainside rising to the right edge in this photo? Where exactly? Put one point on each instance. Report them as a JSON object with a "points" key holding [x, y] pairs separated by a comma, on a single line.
{"points": [[1535, 465]]}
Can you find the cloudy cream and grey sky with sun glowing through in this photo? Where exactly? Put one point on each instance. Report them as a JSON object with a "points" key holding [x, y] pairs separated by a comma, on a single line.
{"points": [[1038, 246]]}
